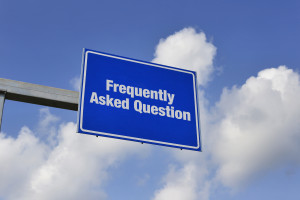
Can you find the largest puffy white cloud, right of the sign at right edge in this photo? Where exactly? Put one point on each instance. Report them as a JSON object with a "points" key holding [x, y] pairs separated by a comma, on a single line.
{"points": [[259, 126]]}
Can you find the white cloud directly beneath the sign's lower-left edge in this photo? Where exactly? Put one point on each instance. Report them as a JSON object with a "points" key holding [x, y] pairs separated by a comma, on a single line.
{"points": [[78, 164]]}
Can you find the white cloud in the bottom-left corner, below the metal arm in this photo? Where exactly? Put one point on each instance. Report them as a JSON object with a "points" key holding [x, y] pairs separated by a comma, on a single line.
{"points": [[19, 158]]}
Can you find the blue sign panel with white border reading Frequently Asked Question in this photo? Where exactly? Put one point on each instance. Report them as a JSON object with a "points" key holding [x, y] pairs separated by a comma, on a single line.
{"points": [[138, 101]]}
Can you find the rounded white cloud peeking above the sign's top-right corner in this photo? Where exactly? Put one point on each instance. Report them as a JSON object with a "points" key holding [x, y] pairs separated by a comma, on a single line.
{"points": [[189, 50]]}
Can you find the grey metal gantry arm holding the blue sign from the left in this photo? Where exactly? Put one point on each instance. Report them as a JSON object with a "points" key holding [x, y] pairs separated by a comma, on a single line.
{"points": [[36, 94]]}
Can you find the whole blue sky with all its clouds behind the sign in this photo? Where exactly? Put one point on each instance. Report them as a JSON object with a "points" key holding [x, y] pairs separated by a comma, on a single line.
{"points": [[246, 54]]}
